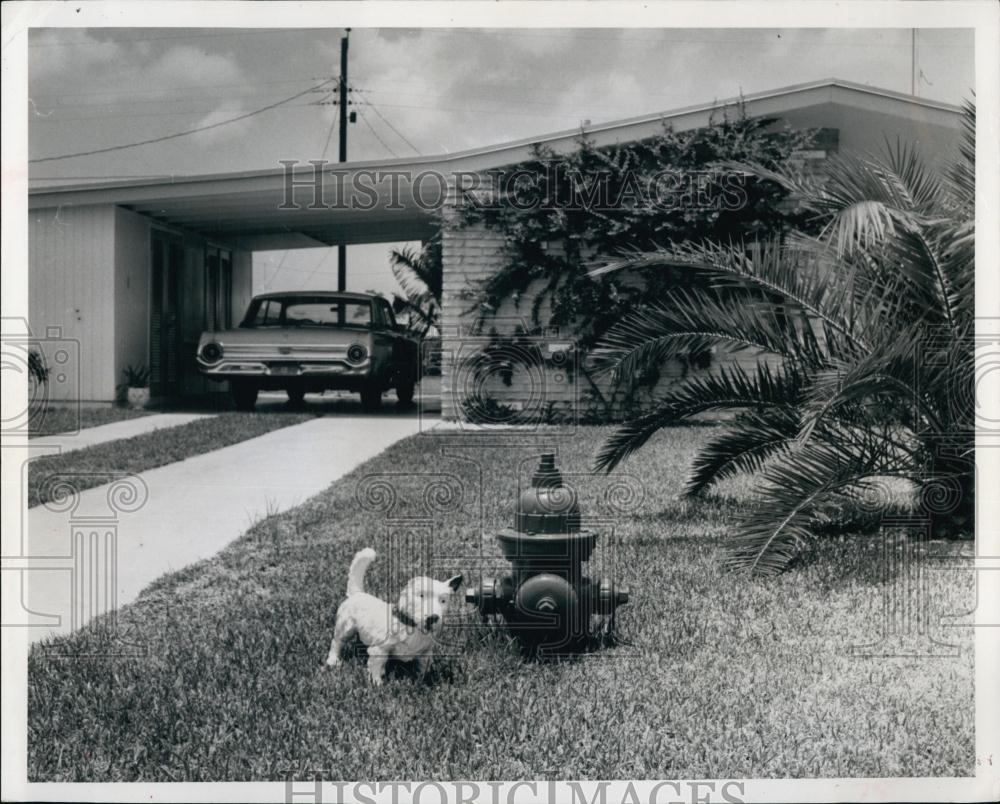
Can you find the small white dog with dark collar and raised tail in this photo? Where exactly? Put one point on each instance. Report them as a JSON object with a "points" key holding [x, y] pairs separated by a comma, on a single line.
{"points": [[405, 631]]}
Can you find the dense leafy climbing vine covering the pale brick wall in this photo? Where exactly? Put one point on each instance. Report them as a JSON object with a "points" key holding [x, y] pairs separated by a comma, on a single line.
{"points": [[556, 212]]}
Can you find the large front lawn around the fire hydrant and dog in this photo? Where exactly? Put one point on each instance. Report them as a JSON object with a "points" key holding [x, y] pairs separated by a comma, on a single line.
{"points": [[722, 676]]}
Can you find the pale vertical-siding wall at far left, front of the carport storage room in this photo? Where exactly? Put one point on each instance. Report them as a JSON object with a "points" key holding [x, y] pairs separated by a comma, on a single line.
{"points": [[71, 260]]}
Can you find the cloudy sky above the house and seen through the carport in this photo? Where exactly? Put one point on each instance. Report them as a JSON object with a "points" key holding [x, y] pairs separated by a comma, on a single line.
{"points": [[416, 91]]}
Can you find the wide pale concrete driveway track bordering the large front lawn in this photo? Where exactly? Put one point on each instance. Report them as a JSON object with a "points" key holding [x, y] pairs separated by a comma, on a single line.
{"points": [[111, 539]]}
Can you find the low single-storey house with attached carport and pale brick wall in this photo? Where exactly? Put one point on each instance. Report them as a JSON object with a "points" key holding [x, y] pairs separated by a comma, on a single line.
{"points": [[134, 271]]}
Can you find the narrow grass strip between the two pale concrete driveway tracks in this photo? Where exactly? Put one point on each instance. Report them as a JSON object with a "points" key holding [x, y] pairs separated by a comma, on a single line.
{"points": [[99, 464]]}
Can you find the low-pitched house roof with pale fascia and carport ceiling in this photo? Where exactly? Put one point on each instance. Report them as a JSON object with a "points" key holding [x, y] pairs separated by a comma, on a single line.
{"points": [[251, 208]]}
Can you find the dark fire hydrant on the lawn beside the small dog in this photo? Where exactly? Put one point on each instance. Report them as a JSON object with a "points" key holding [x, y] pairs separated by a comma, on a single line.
{"points": [[546, 601]]}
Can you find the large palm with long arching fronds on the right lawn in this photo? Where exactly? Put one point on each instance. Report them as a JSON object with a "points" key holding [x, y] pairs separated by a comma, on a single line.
{"points": [[866, 331]]}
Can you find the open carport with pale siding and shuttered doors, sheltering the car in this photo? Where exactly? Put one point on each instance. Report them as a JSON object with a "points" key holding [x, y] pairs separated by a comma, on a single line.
{"points": [[133, 272]]}
